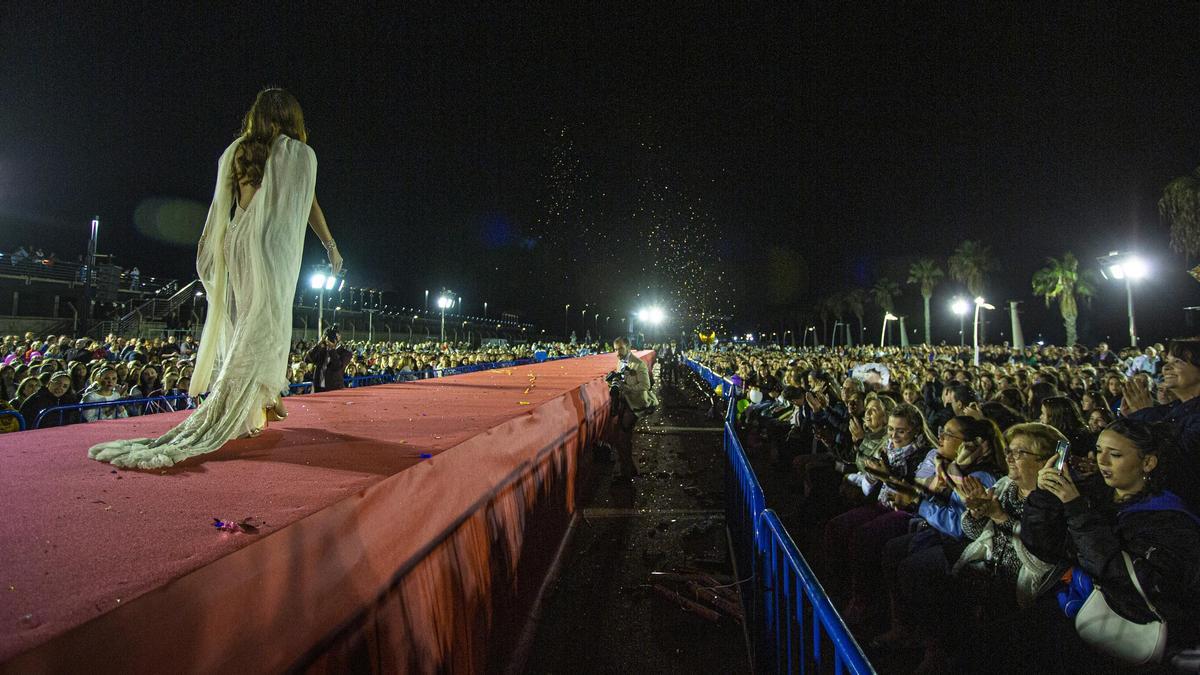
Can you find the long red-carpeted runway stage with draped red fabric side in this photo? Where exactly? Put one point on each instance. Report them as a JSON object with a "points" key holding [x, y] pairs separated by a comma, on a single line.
{"points": [[369, 557]]}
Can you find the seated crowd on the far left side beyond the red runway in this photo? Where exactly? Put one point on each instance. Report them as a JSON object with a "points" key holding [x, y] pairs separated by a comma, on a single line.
{"points": [[153, 375]]}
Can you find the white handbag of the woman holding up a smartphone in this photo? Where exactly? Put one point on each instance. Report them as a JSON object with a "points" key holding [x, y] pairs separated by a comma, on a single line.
{"points": [[1137, 644]]}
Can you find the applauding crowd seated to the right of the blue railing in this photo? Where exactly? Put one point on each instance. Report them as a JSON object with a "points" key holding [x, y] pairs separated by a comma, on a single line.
{"points": [[946, 523]]}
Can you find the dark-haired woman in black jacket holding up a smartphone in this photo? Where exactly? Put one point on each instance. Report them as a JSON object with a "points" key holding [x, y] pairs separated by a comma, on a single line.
{"points": [[1132, 513]]}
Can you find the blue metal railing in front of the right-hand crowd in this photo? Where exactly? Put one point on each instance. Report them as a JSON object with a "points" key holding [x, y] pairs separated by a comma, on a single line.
{"points": [[789, 613]]}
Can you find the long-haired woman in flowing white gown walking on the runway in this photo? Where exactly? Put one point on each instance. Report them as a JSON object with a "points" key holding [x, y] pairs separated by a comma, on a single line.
{"points": [[249, 260]]}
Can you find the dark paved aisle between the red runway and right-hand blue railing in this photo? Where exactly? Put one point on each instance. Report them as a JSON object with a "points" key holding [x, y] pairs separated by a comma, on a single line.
{"points": [[602, 616]]}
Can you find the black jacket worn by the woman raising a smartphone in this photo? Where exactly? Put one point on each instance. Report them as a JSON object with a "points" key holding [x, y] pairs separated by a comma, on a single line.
{"points": [[1091, 533]]}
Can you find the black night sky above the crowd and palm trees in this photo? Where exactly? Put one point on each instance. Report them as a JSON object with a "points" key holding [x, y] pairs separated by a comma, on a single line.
{"points": [[545, 154]]}
